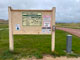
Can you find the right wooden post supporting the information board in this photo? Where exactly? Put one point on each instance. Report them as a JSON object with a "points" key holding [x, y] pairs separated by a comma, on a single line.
{"points": [[53, 29]]}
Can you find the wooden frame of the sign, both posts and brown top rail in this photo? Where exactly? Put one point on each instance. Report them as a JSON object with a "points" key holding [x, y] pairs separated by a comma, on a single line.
{"points": [[11, 41]]}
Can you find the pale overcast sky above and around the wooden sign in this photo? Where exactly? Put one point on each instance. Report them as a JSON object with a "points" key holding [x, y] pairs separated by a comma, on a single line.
{"points": [[66, 10]]}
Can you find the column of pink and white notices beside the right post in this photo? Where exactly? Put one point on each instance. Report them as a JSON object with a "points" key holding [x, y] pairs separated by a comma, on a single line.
{"points": [[46, 28]]}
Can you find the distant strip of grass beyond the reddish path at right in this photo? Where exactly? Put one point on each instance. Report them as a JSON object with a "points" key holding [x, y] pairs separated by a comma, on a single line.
{"points": [[69, 25]]}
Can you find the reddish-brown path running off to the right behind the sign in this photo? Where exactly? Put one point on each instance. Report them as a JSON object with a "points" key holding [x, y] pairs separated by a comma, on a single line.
{"points": [[72, 31]]}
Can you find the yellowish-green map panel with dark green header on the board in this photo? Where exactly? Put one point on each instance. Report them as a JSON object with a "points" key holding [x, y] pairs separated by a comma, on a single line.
{"points": [[31, 18]]}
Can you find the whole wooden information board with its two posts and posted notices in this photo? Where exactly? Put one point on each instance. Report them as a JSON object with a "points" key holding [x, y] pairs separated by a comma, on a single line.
{"points": [[31, 22]]}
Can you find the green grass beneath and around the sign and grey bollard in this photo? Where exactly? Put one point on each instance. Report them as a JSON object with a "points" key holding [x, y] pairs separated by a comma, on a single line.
{"points": [[36, 45]]}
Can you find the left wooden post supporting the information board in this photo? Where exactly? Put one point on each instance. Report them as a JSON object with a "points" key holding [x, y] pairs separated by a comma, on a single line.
{"points": [[11, 43]]}
